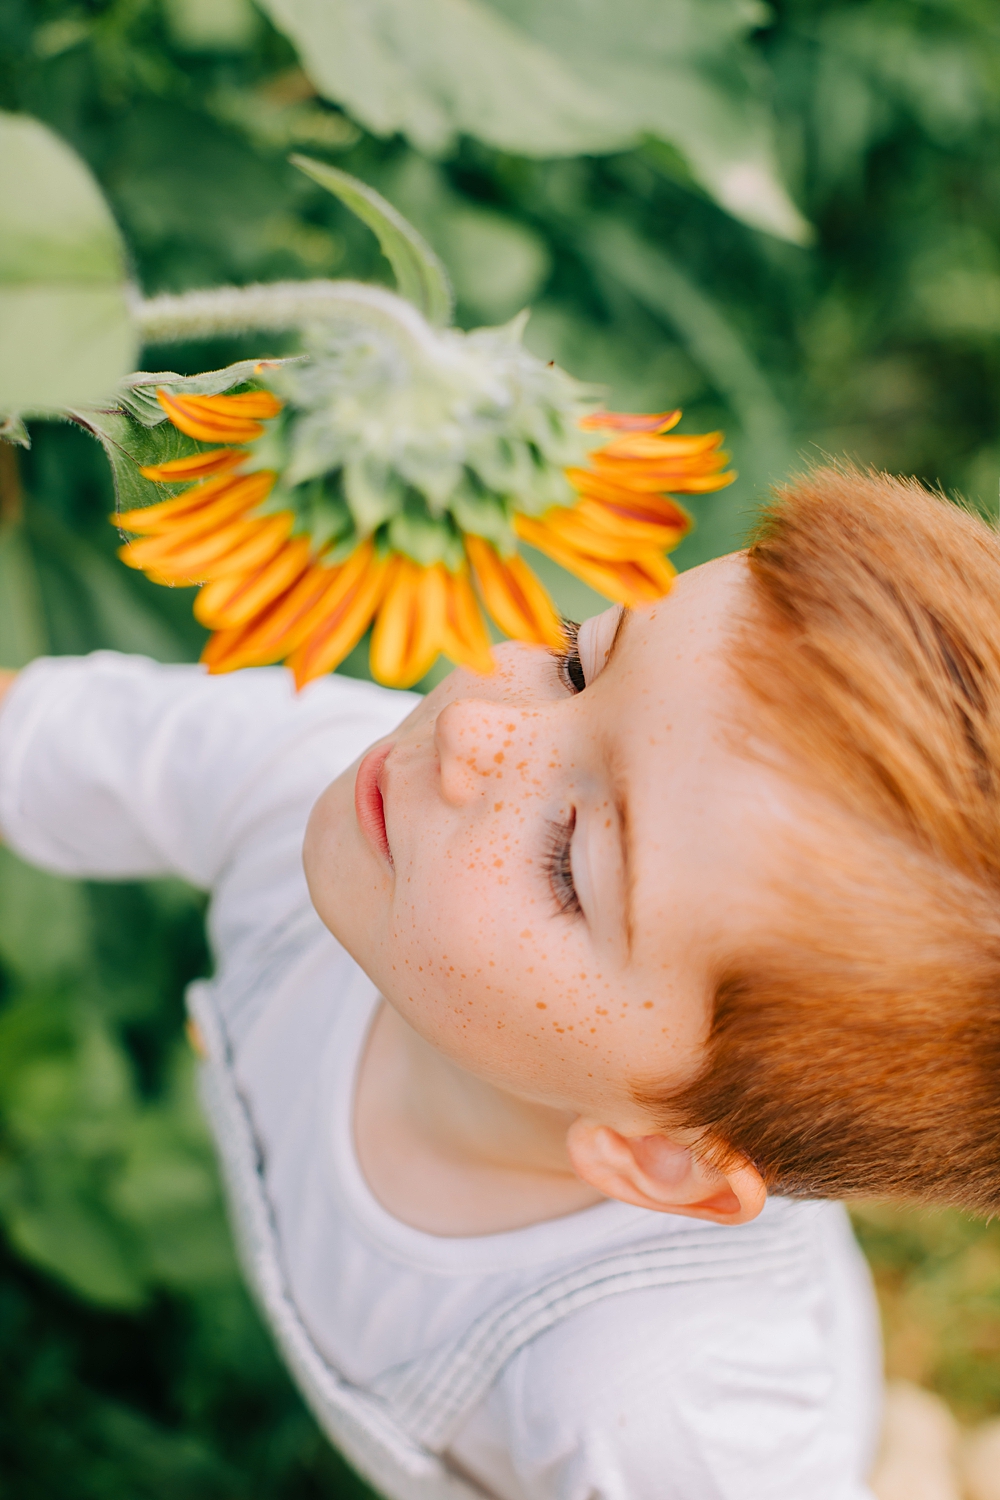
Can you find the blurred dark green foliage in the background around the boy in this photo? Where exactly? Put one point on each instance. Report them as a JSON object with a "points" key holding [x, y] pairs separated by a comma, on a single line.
{"points": [[131, 1361]]}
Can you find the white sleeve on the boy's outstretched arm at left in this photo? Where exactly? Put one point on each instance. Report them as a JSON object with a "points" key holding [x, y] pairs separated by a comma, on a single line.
{"points": [[119, 767]]}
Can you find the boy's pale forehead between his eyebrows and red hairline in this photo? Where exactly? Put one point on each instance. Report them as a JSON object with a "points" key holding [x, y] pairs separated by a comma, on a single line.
{"points": [[705, 821]]}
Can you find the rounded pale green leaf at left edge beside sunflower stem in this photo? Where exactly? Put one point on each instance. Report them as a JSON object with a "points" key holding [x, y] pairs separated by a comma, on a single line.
{"points": [[65, 328]]}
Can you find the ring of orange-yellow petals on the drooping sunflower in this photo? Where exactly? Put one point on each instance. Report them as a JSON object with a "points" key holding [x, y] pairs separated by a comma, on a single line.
{"points": [[275, 589]]}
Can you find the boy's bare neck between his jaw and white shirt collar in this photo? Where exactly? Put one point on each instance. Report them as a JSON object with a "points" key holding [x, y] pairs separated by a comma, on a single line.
{"points": [[451, 1153]]}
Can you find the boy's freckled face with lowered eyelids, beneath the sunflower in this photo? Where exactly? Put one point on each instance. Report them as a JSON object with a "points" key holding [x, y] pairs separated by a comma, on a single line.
{"points": [[545, 883]]}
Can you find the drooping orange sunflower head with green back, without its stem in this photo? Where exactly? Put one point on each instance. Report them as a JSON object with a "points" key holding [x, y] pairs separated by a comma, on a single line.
{"points": [[389, 479]]}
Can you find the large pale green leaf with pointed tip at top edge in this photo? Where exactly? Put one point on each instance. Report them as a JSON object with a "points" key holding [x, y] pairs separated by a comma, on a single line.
{"points": [[539, 79]]}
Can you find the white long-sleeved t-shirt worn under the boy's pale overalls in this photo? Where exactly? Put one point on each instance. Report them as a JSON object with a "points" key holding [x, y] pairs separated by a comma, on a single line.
{"points": [[734, 1390]]}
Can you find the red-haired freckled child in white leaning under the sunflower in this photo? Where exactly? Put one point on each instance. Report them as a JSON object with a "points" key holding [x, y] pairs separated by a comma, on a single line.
{"points": [[602, 973]]}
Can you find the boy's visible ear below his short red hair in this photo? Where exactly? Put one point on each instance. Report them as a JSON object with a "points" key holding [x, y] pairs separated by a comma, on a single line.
{"points": [[656, 1172]]}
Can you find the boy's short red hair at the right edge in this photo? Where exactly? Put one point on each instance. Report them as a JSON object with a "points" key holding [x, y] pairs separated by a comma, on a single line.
{"points": [[861, 1052]]}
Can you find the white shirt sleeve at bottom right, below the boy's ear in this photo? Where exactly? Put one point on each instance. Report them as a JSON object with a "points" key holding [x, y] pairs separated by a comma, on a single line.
{"points": [[669, 1396]]}
